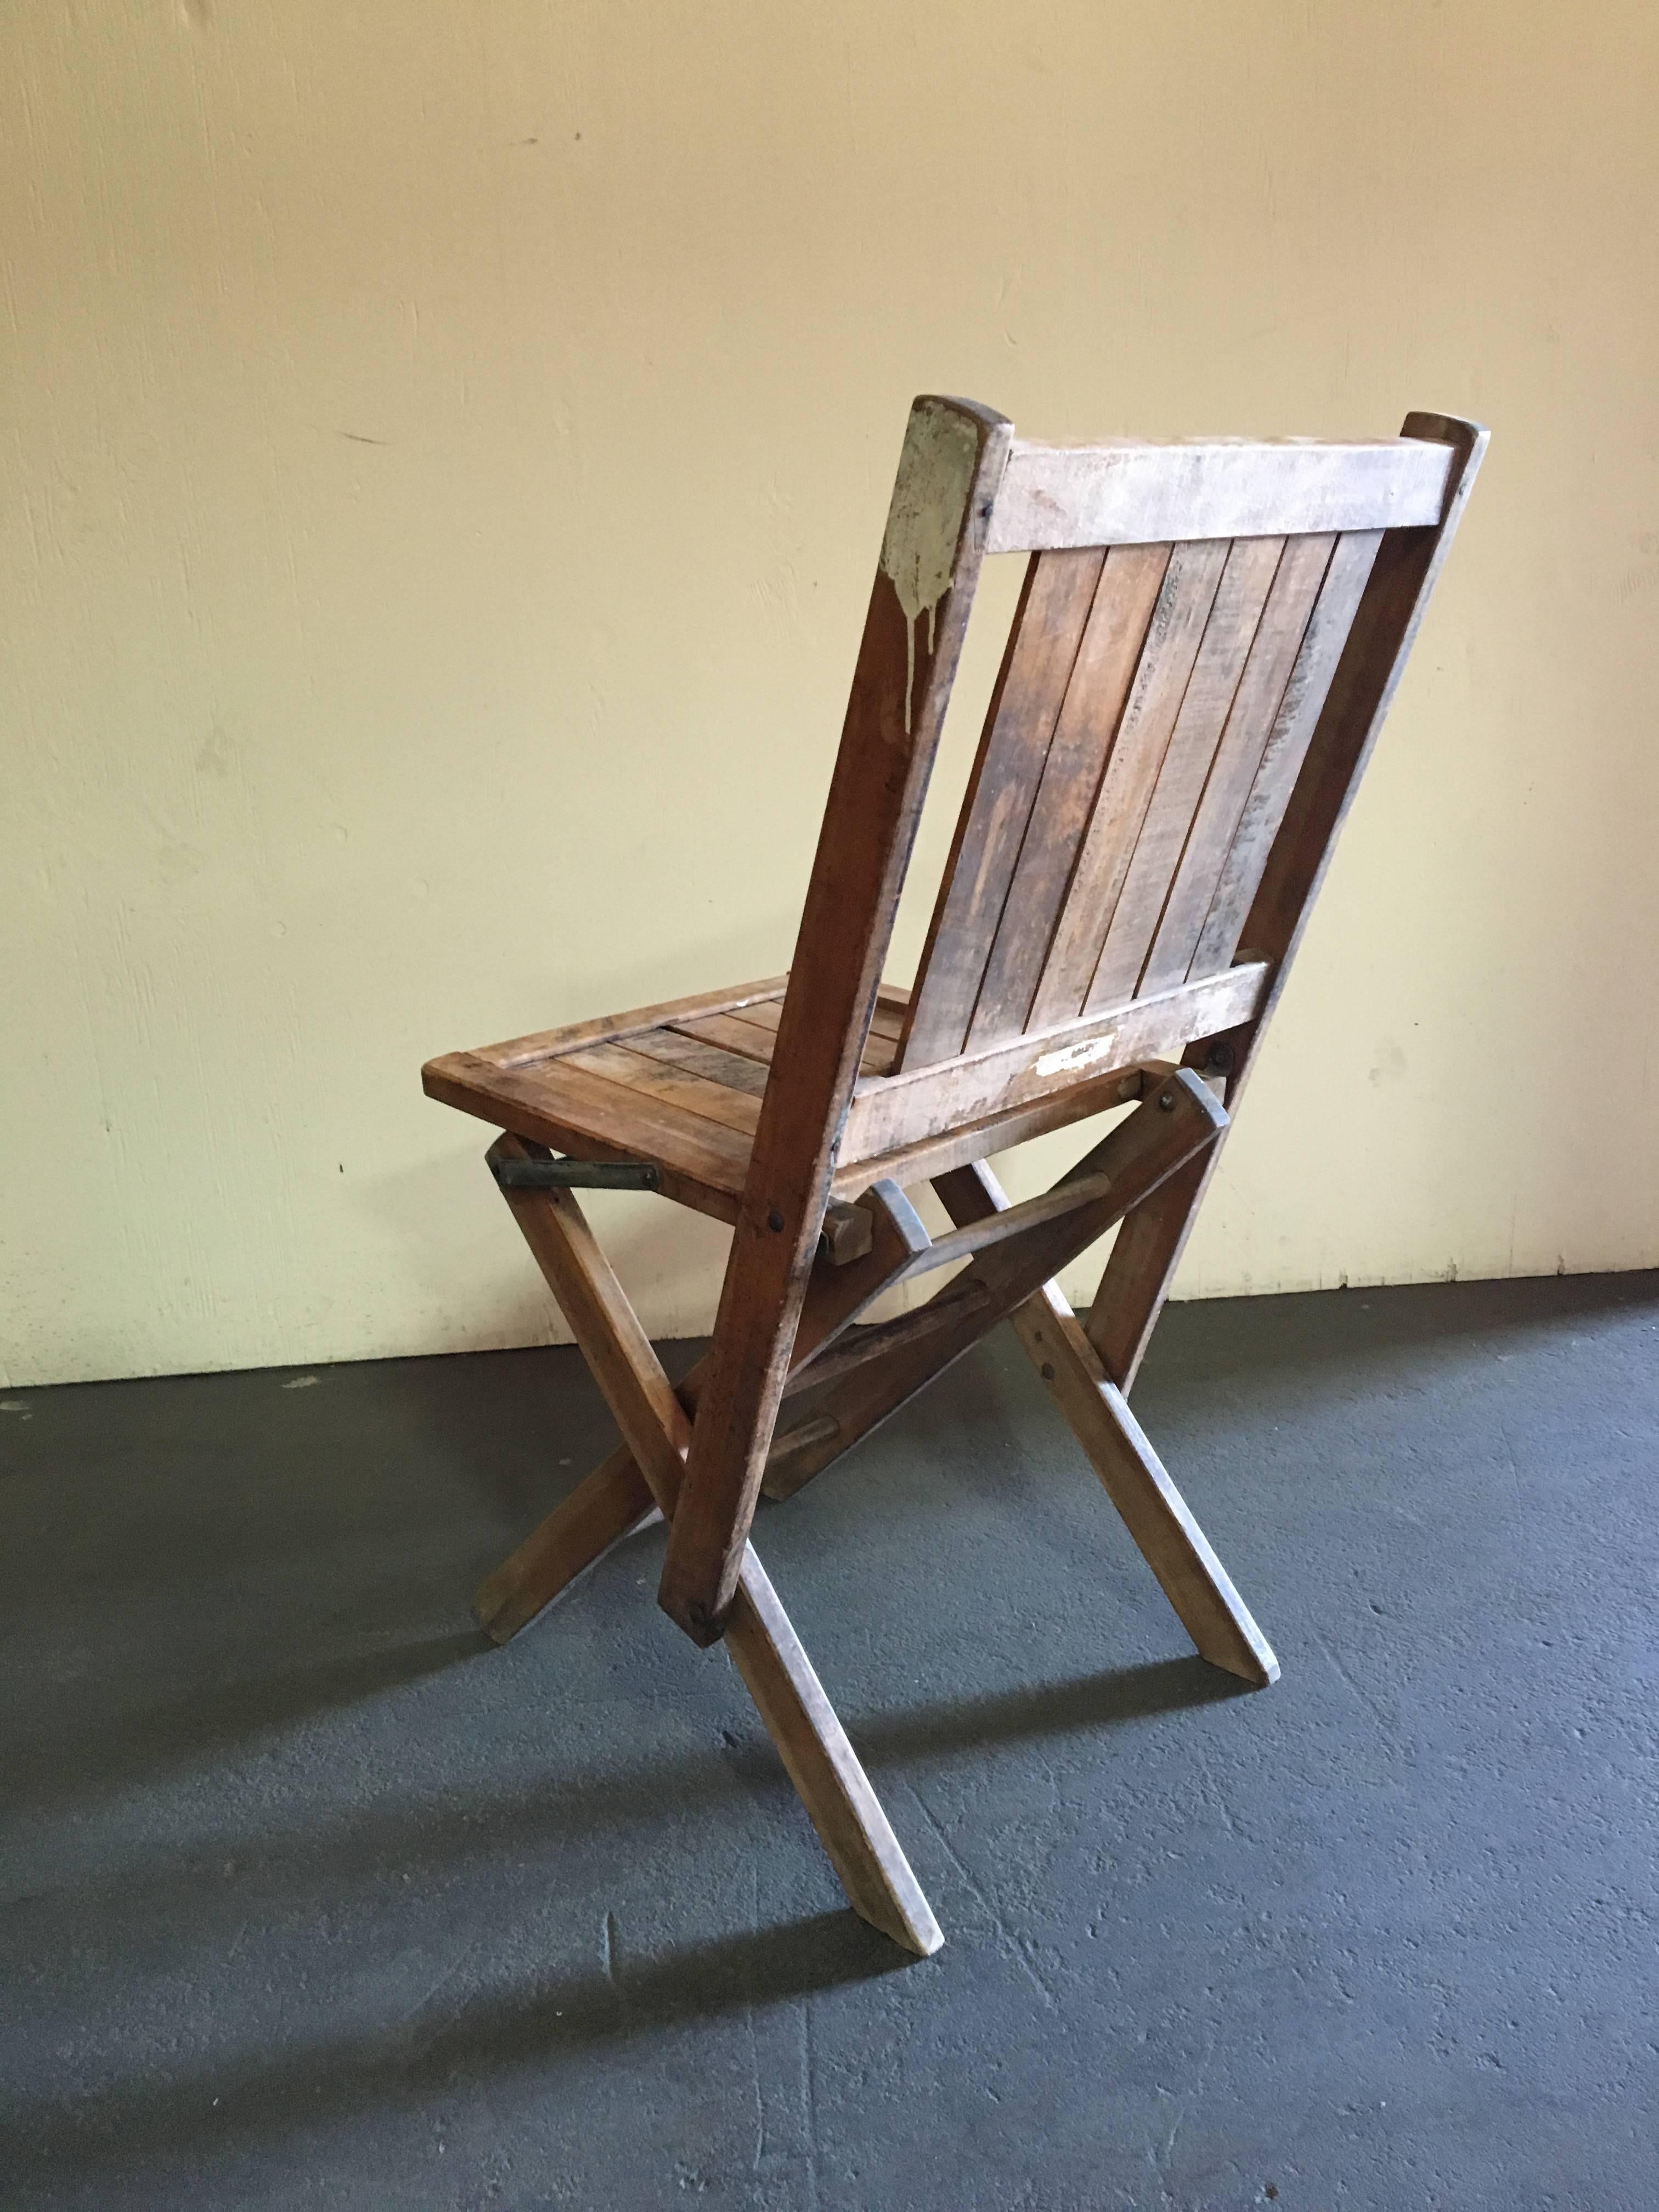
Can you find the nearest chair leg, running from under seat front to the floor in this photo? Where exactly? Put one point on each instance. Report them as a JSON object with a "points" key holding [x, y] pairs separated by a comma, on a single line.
{"points": [[775, 1669]]}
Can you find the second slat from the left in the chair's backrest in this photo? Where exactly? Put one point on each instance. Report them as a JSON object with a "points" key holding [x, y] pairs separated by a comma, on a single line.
{"points": [[1096, 698]]}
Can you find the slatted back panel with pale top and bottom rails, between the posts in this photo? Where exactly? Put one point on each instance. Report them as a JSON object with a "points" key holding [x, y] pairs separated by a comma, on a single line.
{"points": [[1176, 645]]}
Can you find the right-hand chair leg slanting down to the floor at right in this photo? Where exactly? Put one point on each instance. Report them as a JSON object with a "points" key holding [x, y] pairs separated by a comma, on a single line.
{"points": [[1134, 1477]]}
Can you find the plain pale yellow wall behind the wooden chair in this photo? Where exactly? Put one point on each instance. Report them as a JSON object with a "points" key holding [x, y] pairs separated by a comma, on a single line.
{"points": [[446, 450]]}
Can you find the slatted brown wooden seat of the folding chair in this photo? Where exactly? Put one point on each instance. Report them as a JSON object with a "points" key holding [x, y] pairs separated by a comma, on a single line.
{"points": [[676, 1085]]}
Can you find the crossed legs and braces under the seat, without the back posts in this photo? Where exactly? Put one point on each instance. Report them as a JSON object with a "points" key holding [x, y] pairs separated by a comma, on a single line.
{"points": [[842, 1386]]}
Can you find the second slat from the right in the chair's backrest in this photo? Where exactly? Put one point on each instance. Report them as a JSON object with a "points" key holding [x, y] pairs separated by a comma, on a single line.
{"points": [[1251, 724]]}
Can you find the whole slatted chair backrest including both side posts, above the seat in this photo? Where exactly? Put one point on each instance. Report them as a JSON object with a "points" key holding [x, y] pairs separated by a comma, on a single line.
{"points": [[1202, 654]]}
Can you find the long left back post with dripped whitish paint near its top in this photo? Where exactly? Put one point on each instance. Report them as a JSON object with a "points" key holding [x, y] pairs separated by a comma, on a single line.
{"points": [[937, 530]]}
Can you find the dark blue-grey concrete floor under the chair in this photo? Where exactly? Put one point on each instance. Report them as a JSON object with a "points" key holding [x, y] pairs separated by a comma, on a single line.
{"points": [[313, 1899]]}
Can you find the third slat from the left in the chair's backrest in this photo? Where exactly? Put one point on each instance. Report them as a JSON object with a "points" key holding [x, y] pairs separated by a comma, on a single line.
{"points": [[1131, 771]]}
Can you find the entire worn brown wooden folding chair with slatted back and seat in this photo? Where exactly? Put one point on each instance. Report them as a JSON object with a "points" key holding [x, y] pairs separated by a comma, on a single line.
{"points": [[1200, 662]]}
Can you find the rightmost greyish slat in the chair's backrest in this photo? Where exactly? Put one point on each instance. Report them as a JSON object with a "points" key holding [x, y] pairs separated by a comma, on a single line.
{"points": [[1286, 751]]}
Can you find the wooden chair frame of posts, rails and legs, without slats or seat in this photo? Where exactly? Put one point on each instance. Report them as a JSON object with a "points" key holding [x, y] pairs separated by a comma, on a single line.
{"points": [[791, 1381]]}
